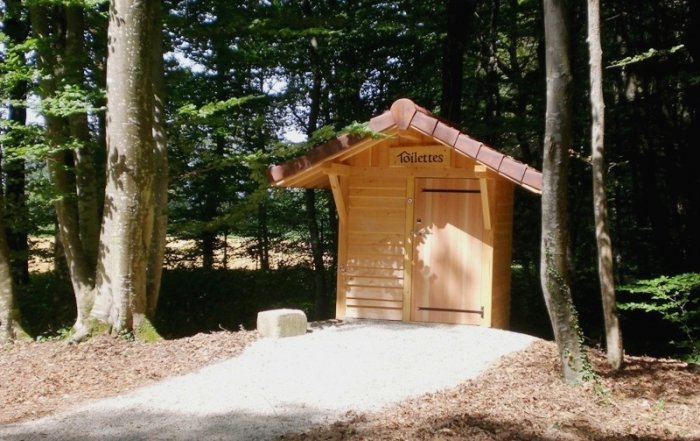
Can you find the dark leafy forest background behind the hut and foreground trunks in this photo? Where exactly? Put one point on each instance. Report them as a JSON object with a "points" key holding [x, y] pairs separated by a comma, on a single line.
{"points": [[246, 79]]}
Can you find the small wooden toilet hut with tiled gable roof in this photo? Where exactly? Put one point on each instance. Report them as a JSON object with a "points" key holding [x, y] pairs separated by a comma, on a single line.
{"points": [[425, 219]]}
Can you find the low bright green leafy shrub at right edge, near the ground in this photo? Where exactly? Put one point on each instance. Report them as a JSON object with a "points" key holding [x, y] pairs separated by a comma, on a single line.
{"points": [[677, 300]]}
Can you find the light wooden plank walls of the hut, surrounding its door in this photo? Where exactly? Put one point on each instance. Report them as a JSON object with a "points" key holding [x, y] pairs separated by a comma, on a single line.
{"points": [[374, 251]]}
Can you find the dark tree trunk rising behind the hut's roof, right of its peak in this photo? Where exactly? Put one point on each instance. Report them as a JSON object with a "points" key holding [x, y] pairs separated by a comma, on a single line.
{"points": [[459, 18]]}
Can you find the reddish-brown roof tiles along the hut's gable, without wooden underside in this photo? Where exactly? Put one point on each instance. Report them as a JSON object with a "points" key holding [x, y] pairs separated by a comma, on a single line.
{"points": [[405, 114]]}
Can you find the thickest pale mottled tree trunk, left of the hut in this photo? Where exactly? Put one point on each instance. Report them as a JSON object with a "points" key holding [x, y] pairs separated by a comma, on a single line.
{"points": [[127, 222]]}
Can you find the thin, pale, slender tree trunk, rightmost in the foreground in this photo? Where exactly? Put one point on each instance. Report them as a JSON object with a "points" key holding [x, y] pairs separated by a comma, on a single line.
{"points": [[613, 334]]}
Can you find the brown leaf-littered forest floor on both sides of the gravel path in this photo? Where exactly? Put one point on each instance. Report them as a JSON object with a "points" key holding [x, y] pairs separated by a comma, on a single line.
{"points": [[520, 397]]}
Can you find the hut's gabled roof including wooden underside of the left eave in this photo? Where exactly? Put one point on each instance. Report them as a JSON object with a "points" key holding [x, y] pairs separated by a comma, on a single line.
{"points": [[307, 171]]}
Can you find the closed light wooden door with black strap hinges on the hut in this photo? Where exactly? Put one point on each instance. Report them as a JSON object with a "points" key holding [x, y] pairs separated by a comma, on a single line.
{"points": [[447, 251]]}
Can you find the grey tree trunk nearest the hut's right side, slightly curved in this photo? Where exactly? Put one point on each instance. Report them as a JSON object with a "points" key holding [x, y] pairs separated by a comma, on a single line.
{"points": [[554, 271]]}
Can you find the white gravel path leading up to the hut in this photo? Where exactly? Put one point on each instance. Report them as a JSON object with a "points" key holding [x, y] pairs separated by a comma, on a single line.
{"points": [[289, 384]]}
